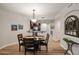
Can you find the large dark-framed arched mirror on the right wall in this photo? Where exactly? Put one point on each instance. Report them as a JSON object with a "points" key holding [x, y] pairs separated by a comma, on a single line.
{"points": [[72, 26]]}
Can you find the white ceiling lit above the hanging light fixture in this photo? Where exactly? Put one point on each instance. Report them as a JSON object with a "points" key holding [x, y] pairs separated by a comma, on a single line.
{"points": [[42, 10]]}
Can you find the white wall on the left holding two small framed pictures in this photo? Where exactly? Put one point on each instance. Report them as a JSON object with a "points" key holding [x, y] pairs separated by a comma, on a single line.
{"points": [[8, 18]]}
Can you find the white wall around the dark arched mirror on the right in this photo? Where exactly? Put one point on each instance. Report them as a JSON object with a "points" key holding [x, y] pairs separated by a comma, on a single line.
{"points": [[73, 10]]}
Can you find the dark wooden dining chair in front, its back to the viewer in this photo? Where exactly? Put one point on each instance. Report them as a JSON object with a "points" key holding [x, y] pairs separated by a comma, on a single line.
{"points": [[30, 45]]}
